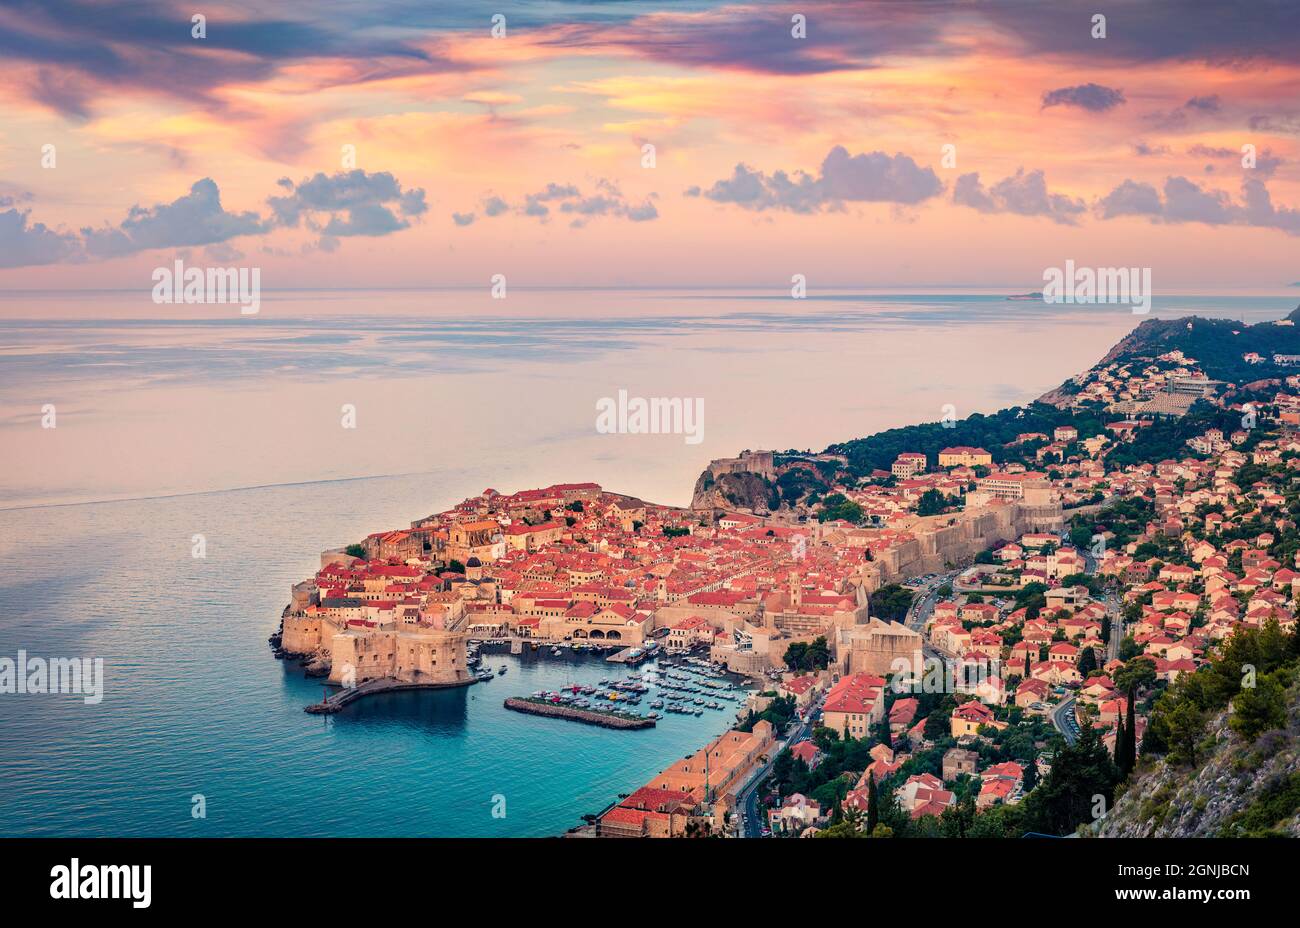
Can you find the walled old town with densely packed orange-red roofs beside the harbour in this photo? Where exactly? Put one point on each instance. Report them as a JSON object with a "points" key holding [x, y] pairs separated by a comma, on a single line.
{"points": [[579, 567]]}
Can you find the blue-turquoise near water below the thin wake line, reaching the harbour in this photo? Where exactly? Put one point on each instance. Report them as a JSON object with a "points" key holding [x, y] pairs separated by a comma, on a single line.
{"points": [[196, 704]]}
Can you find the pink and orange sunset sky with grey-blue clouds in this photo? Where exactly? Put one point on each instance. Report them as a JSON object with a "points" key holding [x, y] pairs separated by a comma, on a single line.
{"points": [[590, 144]]}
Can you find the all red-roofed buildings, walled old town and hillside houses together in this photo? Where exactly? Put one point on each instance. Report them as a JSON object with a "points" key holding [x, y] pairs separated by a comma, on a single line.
{"points": [[577, 566]]}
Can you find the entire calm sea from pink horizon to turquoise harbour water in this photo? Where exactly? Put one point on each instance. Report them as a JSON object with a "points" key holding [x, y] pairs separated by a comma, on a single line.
{"points": [[450, 398]]}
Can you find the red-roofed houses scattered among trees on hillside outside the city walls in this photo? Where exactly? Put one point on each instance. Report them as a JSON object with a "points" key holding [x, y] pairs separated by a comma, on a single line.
{"points": [[1212, 552]]}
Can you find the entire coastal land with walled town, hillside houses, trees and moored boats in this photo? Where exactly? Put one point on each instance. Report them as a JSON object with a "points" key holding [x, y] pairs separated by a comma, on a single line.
{"points": [[960, 628]]}
